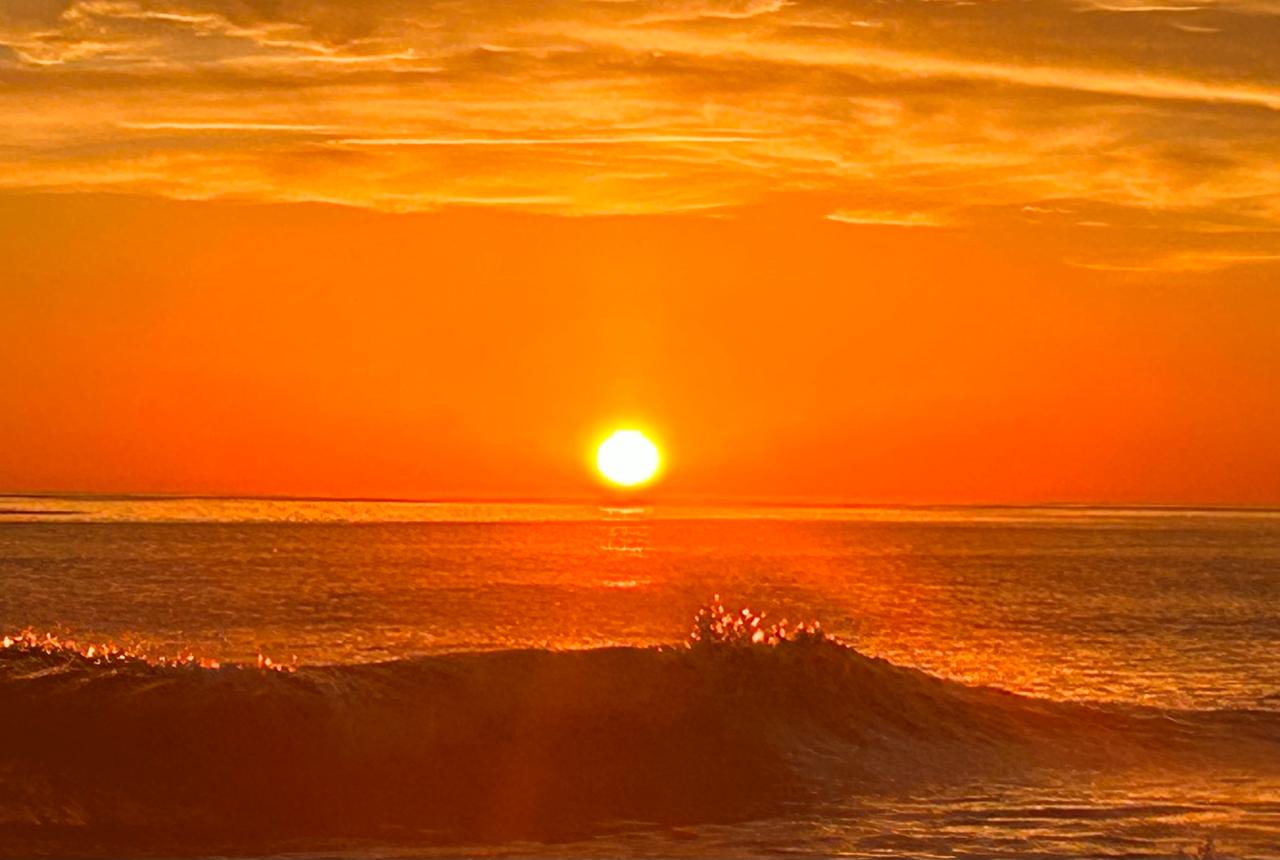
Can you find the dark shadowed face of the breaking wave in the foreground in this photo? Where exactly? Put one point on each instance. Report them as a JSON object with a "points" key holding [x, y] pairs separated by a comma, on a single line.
{"points": [[522, 744]]}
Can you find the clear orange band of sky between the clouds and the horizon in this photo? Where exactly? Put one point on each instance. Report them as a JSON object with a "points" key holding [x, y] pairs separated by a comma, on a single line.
{"points": [[304, 349]]}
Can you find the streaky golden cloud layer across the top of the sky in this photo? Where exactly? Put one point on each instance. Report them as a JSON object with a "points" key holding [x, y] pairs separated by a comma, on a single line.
{"points": [[1041, 115]]}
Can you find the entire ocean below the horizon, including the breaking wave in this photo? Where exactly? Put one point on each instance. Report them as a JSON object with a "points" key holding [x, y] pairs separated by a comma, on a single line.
{"points": [[194, 678]]}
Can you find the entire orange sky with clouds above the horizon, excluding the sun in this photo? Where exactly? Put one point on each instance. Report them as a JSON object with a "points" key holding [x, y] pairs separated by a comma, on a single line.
{"points": [[826, 251]]}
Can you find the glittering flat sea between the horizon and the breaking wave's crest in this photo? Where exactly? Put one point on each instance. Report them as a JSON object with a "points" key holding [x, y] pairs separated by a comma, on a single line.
{"points": [[1144, 606]]}
